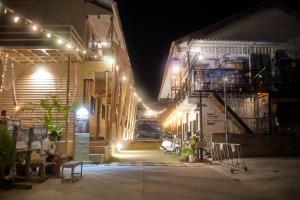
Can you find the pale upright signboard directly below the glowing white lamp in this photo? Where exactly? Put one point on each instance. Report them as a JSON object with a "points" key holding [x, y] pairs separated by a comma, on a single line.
{"points": [[82, 146]]}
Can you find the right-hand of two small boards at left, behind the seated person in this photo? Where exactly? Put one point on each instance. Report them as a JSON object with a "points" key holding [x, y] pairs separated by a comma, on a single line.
{"points": [[38, 135]]}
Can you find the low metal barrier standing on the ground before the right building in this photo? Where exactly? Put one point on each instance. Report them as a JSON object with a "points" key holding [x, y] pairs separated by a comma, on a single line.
{"points": [[229, 155]]}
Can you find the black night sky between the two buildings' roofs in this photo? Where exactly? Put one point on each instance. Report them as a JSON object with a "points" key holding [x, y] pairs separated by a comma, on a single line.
{"points": [[150, 26]]}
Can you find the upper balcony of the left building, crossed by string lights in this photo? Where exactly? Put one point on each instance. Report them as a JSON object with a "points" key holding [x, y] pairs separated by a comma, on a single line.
{"points": [[26, 46]]}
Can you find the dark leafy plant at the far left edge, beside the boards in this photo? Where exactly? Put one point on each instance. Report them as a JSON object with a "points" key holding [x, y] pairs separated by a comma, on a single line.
{"points": [[7, 154]]}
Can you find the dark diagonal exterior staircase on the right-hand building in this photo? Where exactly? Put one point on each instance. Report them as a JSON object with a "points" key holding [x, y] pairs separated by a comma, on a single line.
{"points": [[217, 100]]}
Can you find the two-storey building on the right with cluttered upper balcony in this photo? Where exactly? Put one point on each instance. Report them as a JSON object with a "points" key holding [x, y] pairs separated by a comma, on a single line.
{"points": [[228, 77]]}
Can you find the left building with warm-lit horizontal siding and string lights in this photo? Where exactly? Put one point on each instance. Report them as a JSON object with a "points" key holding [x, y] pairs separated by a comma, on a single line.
{"points": [[78, 54]]}
